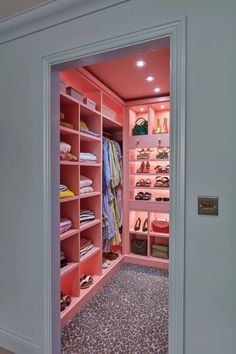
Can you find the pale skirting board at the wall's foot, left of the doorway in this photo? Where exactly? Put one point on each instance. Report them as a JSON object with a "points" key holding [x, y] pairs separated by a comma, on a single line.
{"points": [[18, 344]]}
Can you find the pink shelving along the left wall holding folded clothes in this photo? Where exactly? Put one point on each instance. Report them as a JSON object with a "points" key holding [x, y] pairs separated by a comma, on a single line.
{"points": [[76, 111]]}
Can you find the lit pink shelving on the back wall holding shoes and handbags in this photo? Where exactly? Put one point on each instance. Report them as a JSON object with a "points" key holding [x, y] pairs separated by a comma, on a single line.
{"points": [[151, 110]]}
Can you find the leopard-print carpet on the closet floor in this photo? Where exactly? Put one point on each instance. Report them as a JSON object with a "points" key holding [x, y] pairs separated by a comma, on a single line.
{"points": [[129, 315]]}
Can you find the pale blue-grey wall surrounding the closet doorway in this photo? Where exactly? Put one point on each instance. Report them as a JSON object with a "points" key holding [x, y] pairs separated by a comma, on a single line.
{"points": [[210, 294]]}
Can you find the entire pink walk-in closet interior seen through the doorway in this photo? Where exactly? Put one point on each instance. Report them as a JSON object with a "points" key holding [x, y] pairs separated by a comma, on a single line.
{"points": [[114, 161]]}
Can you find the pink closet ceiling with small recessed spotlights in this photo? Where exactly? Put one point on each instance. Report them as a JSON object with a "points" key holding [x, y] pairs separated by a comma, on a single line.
{"points": [[128, 81]]}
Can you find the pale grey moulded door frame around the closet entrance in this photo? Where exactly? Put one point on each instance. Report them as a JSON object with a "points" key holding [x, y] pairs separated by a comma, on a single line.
{"points": [[176, 30]]}
